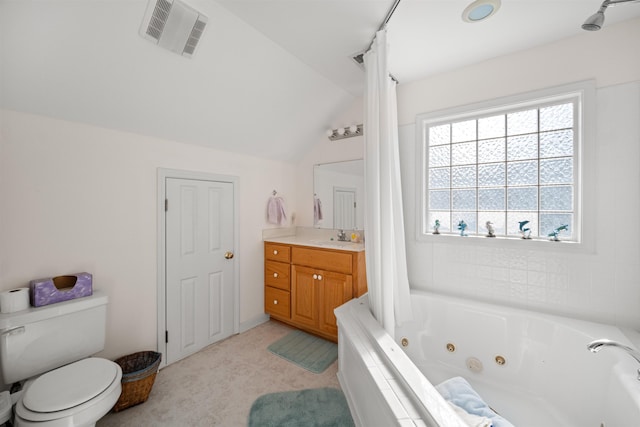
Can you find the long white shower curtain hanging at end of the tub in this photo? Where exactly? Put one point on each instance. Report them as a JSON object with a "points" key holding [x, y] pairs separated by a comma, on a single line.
{"points": [[387, 278]]}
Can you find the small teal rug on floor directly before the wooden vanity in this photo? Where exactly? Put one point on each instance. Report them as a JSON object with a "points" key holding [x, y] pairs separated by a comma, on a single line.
{"points": [[305, 350]]}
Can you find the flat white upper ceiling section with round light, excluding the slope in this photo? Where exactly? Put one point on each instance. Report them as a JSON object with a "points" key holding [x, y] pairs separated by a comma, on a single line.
{"points": [[426, 37]]}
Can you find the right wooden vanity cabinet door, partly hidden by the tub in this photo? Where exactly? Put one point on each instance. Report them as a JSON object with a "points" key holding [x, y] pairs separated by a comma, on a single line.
{"points": [[334, 290]]}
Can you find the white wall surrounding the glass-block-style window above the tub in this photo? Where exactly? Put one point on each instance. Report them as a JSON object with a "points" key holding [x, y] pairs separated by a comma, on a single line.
{"points": [[603, 285]]}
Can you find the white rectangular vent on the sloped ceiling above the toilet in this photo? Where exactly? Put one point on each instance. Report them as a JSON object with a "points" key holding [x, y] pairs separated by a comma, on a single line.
{"points": [[173, 25]]}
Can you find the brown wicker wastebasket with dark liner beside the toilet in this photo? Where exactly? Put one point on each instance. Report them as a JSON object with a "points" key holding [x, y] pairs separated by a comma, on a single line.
{"points": [[138, 374]]}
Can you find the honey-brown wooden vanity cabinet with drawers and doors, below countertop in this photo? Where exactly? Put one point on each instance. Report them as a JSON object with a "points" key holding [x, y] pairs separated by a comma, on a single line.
{"points": [[304, 284]]}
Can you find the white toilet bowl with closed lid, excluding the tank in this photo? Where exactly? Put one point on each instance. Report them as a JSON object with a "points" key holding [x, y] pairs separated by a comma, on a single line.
{"points": [[78, 394]]}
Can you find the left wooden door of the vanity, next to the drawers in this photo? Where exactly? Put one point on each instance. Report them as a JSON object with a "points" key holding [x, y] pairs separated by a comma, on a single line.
{"points": [[304, 295]]}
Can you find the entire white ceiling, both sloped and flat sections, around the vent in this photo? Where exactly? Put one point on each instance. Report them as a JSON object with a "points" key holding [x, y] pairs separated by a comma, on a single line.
{"points": [[268, 77]]}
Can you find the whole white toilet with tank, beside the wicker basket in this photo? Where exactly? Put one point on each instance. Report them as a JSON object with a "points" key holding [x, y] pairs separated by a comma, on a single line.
{"points": [[50, 347]]}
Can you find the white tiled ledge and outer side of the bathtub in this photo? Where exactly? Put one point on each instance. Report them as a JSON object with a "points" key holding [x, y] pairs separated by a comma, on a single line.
{"points": [[382, 386]]}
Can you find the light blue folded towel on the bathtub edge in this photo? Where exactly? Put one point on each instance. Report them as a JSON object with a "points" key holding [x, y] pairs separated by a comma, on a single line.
{"points": [[458, 391]]}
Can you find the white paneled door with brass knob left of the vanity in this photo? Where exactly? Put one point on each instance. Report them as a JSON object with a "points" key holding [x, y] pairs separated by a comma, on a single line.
{"points": [[200, 294]]}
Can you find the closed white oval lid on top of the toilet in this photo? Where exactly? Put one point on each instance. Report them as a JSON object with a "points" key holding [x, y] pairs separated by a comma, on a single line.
{"points": [[70, 385]]}
